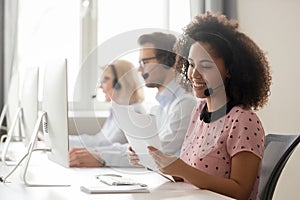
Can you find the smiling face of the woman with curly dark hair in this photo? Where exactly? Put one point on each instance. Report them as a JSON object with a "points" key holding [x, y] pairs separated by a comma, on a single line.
{"points": [[206, 69]]}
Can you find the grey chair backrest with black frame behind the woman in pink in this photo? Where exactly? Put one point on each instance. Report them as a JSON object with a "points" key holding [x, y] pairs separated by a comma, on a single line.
{"points": [[278, 149]]}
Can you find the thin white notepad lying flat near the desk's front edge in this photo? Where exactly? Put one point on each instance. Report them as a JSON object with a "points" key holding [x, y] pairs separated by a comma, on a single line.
{"points": [[114, 189]]}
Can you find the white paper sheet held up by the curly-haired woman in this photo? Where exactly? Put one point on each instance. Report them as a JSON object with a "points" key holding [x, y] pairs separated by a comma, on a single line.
{"points": [[140, 130]]}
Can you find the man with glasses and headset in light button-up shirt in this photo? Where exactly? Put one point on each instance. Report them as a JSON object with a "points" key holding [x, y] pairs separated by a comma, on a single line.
{"points": [[157, 60]]}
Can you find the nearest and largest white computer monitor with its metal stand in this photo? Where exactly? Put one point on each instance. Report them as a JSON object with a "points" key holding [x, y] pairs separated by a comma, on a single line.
{"points": [[53, 117]]}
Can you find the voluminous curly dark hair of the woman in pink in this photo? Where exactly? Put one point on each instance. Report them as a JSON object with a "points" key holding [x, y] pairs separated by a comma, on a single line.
{"points": [[249, 79]]}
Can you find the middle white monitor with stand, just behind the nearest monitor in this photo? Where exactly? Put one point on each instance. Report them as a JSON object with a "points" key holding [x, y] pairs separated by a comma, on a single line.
{"points": [[27, 111]]}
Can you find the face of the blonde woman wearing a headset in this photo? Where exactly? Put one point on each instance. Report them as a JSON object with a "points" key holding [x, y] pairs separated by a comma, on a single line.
{"points": [[107, 84]]}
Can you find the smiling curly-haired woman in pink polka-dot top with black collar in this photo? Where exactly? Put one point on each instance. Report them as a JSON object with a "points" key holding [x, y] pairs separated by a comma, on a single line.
{"points": [[224, 145]]}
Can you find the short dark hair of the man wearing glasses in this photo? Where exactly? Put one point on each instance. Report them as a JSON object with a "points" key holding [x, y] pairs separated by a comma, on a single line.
{"points": [[163, 45]]}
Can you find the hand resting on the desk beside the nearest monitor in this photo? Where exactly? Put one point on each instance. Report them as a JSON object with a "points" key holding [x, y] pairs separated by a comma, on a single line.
{"points": [[81, 157]]}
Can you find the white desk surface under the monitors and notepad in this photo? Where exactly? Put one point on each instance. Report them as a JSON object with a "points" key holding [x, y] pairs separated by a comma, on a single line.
{"points": [[41, 170]]}
